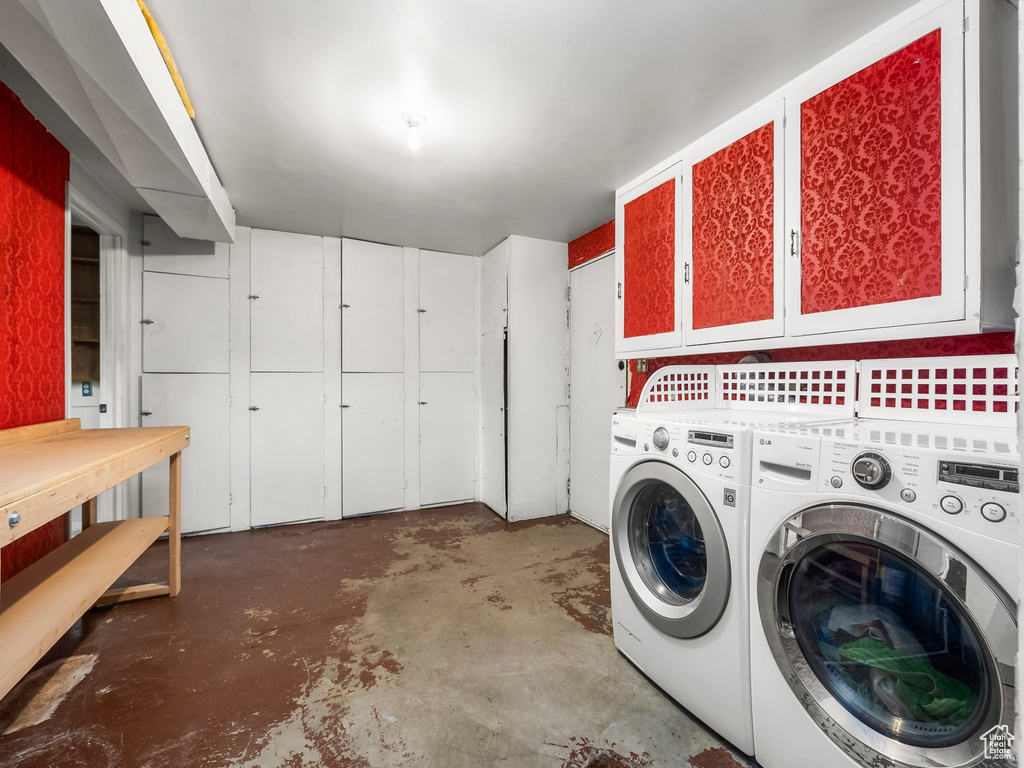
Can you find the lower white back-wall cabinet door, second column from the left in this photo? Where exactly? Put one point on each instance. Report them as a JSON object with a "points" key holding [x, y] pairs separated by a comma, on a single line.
{"points": [[287, 448]]}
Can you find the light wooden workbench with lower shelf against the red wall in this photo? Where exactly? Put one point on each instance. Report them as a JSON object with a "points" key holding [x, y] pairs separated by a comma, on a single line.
{"points": [[47, 471]]}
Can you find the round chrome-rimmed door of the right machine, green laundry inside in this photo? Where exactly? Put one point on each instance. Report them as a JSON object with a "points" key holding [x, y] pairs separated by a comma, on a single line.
{"points": [[903, 644]]}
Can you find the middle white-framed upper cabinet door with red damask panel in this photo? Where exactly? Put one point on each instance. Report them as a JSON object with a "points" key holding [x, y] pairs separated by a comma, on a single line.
{"points": [[733, 231]]}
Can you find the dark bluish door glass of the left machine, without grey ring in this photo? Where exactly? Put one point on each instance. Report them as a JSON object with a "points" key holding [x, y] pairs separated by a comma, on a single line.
{"points": [[668, 545]]}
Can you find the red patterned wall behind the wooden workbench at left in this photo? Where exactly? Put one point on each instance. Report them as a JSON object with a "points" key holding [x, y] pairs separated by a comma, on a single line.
{"points": [[33, 181]]}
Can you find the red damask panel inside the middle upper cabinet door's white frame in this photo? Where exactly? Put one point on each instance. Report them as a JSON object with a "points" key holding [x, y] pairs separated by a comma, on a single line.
{"points": [[734, 233]]}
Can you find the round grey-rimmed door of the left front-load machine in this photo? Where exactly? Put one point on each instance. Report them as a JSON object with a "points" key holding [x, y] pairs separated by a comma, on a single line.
{"points": [[671, 550]]}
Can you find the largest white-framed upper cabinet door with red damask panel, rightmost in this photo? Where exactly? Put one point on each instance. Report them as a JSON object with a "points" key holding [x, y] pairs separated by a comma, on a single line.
{"points": [[875, 202]]}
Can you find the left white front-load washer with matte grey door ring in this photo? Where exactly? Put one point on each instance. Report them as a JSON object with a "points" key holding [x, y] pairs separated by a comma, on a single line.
{"points": [[680, 493]]}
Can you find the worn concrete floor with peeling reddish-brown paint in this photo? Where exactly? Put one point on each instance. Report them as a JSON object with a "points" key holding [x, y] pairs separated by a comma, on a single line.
{"points": [[435, 638]]}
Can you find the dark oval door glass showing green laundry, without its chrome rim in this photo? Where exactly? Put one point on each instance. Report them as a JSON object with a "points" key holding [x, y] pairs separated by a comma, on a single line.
{"points": [[886, 641]]}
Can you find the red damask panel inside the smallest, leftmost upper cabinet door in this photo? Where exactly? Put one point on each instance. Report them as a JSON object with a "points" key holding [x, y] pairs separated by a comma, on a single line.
{"points": [[650, 261]]}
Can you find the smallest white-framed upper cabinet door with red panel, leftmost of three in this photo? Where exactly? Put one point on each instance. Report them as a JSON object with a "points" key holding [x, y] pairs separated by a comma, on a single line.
{"points": [[648, 272]]}
